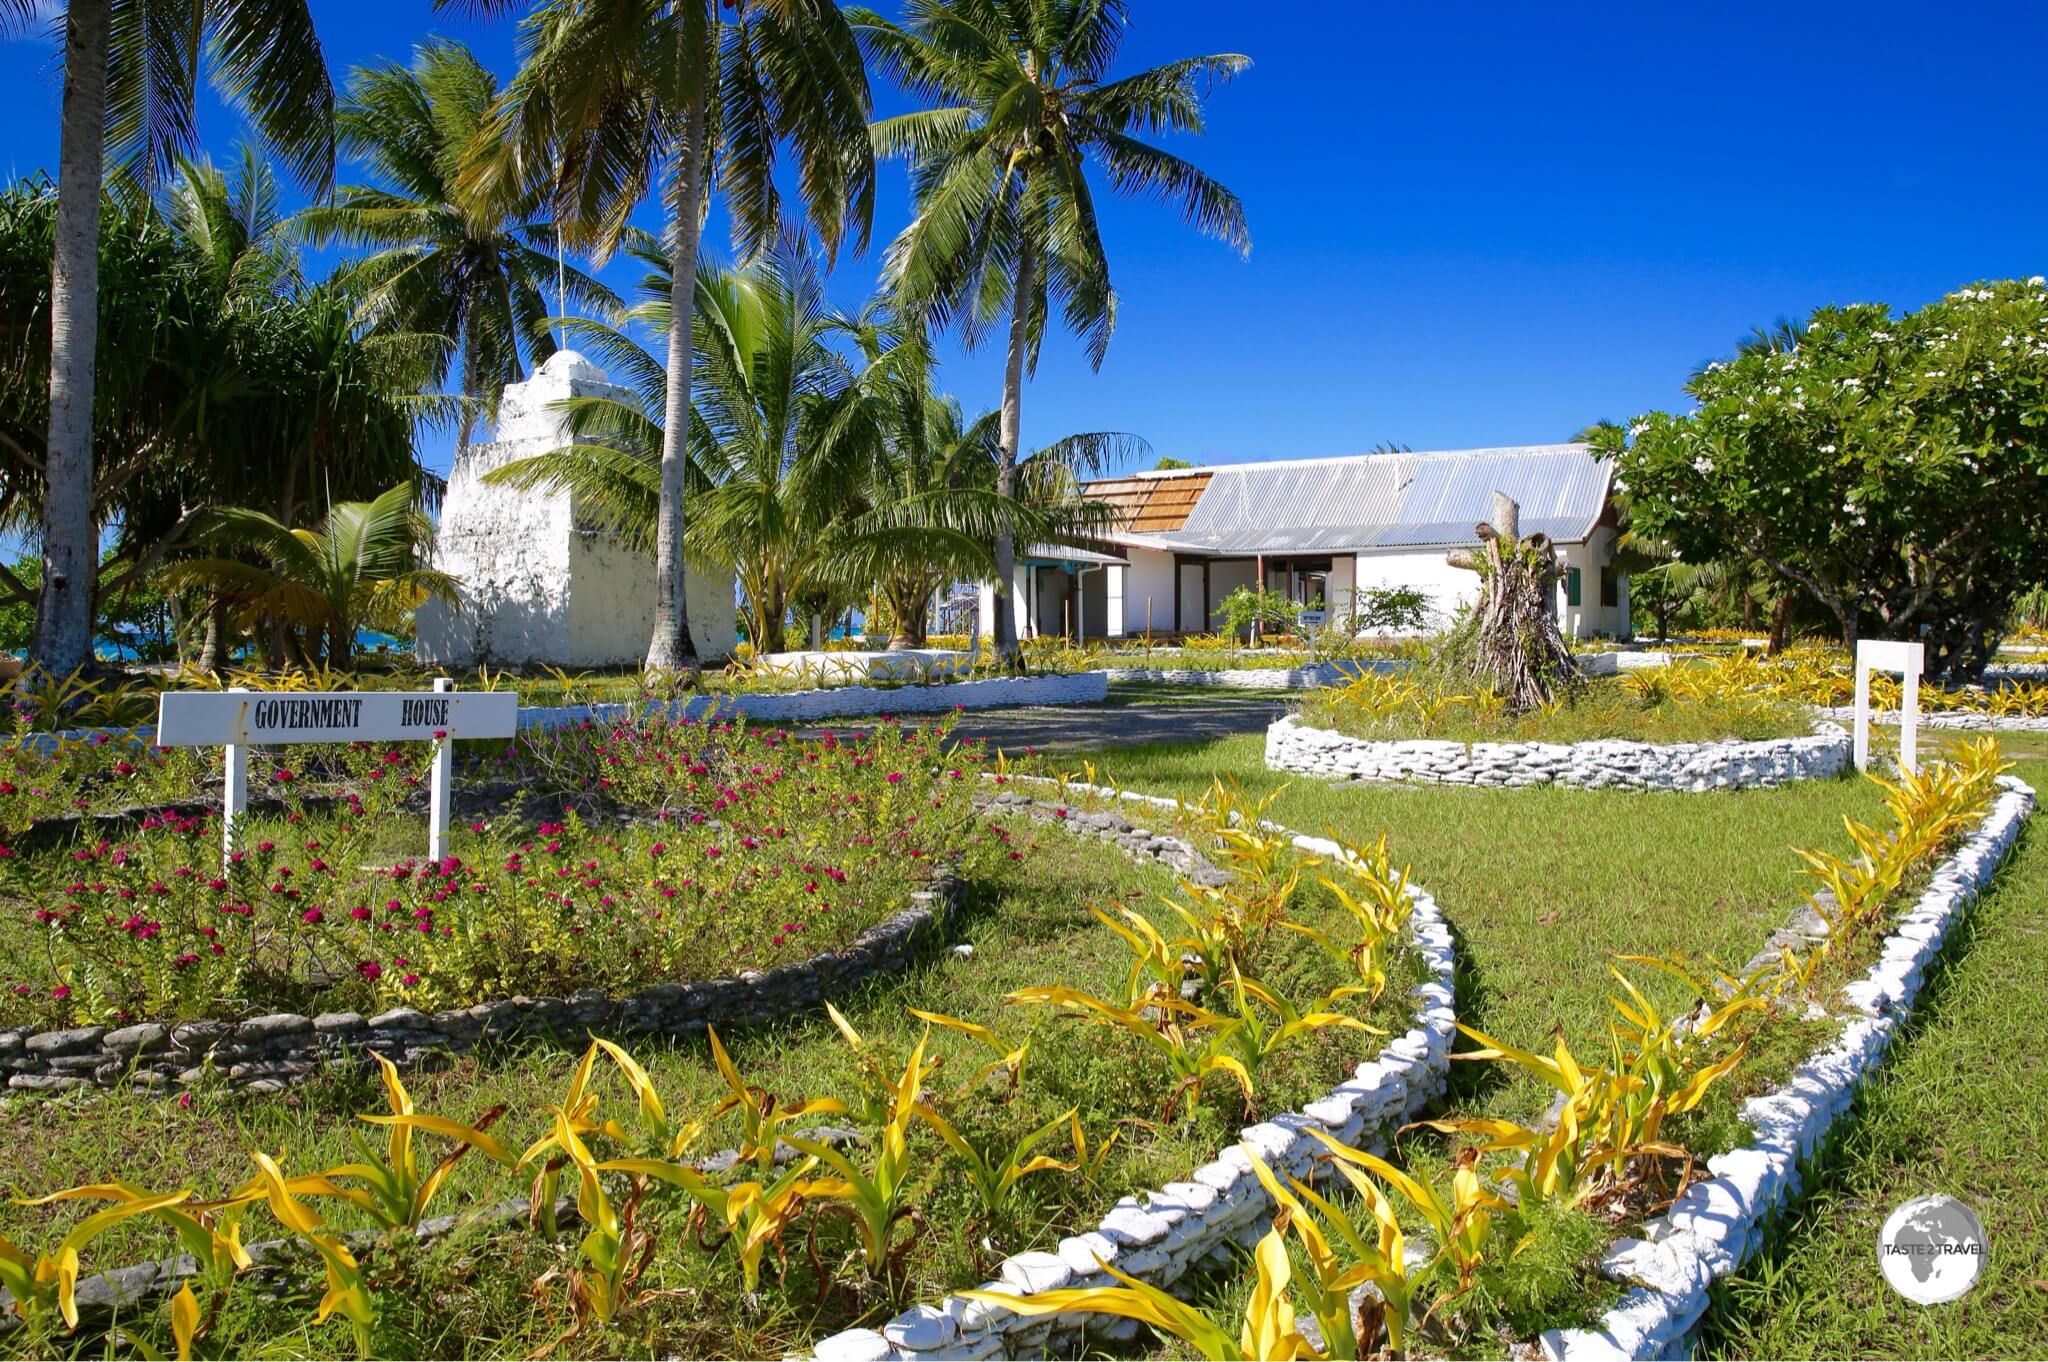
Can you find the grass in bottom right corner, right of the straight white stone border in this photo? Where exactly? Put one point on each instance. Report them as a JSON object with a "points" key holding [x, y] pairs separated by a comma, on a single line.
{"points": [[1959, 1111]]}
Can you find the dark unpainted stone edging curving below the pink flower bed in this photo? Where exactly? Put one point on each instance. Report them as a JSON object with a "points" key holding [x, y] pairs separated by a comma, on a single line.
{"points": [[269, 1054]]}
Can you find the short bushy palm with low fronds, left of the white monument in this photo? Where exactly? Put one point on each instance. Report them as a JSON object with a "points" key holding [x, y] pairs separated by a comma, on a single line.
{"points": [[359, 568]]}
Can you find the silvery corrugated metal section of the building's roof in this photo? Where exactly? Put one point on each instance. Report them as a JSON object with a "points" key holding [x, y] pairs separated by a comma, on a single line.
{"points": [[1394, 501]]}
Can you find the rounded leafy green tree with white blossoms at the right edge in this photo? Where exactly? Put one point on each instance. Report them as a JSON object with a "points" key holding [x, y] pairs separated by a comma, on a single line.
{"points": [[1889, 466]]}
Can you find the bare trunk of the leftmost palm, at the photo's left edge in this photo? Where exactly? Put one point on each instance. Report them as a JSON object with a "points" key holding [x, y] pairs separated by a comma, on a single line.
{"points": [[71, 540]]}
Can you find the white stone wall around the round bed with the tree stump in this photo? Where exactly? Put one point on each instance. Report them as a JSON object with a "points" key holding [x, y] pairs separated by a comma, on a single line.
{"points": [[1295, 747]]}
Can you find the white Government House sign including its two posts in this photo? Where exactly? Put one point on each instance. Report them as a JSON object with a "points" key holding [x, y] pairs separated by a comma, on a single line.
{"points": [[241, 720]]}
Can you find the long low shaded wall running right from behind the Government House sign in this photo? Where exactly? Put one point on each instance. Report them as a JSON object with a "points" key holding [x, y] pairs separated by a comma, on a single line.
{"points": [[849, 701]]}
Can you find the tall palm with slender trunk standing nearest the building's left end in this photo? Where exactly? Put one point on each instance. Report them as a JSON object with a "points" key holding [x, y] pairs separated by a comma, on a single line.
{"points": [[1007, 216]]}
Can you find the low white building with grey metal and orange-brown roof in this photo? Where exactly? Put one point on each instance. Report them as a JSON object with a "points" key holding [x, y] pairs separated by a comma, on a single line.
{"points": [[1320, 529]]}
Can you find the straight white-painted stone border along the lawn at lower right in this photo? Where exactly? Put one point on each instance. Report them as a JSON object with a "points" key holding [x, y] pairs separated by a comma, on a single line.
{"points": [[1719, 1224]]}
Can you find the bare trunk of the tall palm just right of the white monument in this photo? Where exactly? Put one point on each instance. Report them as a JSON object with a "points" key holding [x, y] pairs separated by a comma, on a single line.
{"points": [[673, 650]]}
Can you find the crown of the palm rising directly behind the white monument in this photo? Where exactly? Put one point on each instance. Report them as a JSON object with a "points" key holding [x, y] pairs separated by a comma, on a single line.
{"points": [[474, 267]]}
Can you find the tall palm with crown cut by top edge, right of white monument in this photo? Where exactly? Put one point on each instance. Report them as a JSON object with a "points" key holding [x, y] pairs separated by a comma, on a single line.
{"points": [[620, 95]]}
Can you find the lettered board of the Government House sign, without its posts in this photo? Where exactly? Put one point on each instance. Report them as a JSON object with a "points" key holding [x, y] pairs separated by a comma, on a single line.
{"points": [[267, 720]]}
